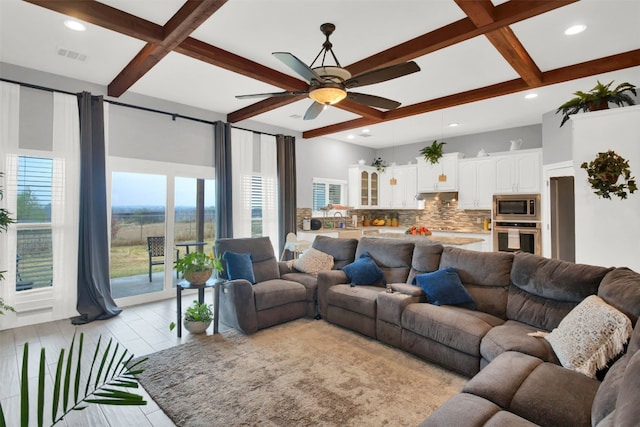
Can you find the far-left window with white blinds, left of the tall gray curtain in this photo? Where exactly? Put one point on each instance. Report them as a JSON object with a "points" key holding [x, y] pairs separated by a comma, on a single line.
{"points": [[34, 252]]}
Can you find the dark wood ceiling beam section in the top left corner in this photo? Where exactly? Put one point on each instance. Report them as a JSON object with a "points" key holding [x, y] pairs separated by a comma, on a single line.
{"points": [[107, 17]]}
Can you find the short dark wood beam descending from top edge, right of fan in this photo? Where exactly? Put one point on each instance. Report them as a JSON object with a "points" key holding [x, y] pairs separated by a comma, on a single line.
{"points": [[503, 39]]}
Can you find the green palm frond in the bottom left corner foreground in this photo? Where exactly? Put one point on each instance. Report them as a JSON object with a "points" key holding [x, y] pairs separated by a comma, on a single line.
{"points": [[112, 373]]}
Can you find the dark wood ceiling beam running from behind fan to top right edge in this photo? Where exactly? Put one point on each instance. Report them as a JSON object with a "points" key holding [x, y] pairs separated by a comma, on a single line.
{"points": [[459, 31]]}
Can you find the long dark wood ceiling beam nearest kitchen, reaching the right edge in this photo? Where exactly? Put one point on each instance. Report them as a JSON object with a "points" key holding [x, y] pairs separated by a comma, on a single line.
{"points": [[559, 75]]}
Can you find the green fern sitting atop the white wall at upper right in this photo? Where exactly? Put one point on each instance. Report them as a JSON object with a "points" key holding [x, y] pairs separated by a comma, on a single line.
{"points": [[597, 98]]}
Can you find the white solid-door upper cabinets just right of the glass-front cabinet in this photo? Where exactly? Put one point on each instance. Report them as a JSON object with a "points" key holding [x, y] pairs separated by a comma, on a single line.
{"points": [[402, 194]]}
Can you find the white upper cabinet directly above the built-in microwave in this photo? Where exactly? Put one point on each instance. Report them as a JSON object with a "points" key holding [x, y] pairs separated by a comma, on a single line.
{"points": [[519, 172]]}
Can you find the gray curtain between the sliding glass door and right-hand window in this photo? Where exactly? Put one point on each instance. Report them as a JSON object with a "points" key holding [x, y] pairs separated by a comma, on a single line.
{"points": [[222, 153]]}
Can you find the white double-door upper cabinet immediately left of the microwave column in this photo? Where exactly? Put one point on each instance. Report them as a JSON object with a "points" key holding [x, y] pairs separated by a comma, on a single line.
{"points": [[477, 183]]}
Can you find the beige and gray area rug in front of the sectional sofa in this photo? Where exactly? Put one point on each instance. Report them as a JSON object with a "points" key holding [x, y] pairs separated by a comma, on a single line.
{"points": [[302, 373]]}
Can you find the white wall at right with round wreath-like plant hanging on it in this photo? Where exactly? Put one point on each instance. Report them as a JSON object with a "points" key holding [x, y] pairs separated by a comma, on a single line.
{"points": [[607, 231]]}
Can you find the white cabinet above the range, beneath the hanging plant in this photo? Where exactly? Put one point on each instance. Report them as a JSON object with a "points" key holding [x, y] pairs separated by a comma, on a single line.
{"points": [[443, 176]]}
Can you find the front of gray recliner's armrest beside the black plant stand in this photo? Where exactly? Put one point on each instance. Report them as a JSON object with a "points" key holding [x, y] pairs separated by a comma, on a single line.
{"points": [[237, 305]]}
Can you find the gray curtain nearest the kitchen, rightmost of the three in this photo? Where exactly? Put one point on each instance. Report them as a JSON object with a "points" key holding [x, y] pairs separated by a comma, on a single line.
{"points": [[286, 153]]}
